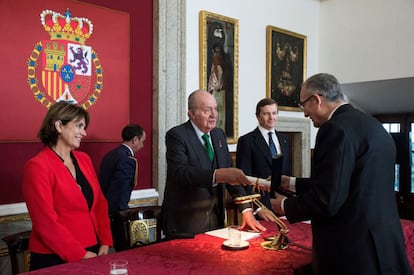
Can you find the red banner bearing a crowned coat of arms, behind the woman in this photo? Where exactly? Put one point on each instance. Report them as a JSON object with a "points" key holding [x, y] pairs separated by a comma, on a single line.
{"points": [[63, 50]]}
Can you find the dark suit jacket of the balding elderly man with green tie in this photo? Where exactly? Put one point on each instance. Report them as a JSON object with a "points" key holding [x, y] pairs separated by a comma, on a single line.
{"points": [[191, 203]]}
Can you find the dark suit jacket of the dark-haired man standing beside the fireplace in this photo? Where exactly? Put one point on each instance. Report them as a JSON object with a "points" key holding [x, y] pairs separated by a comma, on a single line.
{"points": [[253, 157]]}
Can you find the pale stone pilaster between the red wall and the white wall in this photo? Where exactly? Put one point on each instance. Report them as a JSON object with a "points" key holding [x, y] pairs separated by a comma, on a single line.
{"points": [[169, 74]]}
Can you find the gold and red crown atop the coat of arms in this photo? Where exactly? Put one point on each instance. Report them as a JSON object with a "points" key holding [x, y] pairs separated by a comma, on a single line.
{"points": [[66, 27]]}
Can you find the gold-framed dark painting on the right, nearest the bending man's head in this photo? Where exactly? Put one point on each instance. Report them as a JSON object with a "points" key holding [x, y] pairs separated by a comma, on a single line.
{"points": [[285, 66]]}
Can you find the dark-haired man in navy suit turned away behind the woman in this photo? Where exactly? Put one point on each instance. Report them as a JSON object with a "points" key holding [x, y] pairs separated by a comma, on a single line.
{"points": [[117, 173]]}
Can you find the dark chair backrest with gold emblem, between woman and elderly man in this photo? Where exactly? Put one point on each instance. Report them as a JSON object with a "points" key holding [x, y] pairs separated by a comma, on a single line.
{"points": [[137, 226]]}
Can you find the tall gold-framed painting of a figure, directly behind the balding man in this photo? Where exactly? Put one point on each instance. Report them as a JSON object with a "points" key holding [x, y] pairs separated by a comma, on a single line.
{"points": [[219, 67]]}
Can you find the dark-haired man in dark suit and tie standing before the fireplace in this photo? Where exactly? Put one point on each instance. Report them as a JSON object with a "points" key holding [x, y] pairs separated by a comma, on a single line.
{"points": [[253, 154]]}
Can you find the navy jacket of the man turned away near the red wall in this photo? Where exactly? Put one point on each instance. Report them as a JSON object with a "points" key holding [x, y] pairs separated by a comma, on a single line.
{"points": [[116, 176]]}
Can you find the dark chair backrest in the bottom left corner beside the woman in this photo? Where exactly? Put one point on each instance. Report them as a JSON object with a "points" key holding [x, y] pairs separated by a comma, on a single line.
{"points": [[18, 244]]}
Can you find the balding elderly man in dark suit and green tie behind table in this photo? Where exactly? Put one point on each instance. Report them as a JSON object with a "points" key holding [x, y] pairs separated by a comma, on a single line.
{"points": [[198, 163]]}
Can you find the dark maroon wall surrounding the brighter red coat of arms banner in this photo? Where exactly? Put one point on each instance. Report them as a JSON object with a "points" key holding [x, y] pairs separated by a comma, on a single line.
{"points": [[13, 155]]}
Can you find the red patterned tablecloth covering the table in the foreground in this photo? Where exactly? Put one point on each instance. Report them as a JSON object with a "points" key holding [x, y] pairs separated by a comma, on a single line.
{"points": [[203, 255]]}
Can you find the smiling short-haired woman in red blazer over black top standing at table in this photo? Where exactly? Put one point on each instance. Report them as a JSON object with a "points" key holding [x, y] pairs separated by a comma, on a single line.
{"points": [[69, 213]]}
